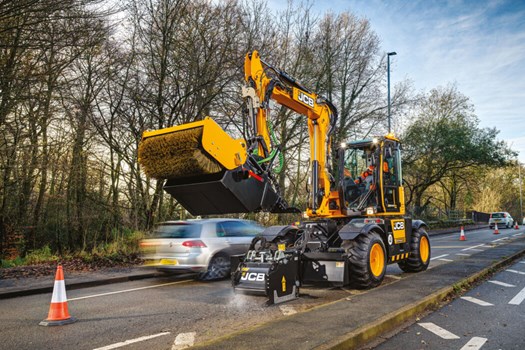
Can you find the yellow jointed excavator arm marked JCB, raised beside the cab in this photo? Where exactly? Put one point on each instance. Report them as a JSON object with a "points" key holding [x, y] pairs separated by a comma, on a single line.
{"points": [[264, 82]]}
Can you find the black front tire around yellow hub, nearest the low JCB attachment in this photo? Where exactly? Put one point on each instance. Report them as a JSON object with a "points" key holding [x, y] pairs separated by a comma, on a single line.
{"points": [[361, 275]]}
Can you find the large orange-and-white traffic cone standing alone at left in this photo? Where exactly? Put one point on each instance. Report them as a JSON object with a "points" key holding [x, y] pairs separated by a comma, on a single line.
{"points": [[58, 314]]}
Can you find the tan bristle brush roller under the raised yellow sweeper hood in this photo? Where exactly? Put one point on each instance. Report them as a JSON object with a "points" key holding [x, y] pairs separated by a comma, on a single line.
{"points": [[176, 155]]}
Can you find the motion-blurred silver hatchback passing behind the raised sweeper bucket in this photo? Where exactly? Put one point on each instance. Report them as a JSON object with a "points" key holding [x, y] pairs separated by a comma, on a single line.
{"points": [[203, 246]]}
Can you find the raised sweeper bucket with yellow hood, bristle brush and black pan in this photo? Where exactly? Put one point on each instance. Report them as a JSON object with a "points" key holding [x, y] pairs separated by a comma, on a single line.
{"points": [[206, 170]]}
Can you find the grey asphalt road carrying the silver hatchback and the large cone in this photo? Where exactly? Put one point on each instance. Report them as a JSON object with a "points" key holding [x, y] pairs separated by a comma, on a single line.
{"points": [[171, 313]]}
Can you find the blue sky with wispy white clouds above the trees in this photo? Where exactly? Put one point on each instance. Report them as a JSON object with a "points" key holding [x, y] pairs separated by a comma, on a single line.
{"points": [[478, 45]]}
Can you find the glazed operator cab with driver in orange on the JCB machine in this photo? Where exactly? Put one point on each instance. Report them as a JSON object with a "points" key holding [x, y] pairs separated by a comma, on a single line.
{"points": [[371, 176]]}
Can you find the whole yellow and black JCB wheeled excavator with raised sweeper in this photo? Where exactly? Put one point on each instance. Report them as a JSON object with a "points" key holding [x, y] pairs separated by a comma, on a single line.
{"points": [[356, 224]]}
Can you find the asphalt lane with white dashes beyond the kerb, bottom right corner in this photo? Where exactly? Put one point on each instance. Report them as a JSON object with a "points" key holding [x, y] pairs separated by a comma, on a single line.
{"points": [[490, 316]]}
